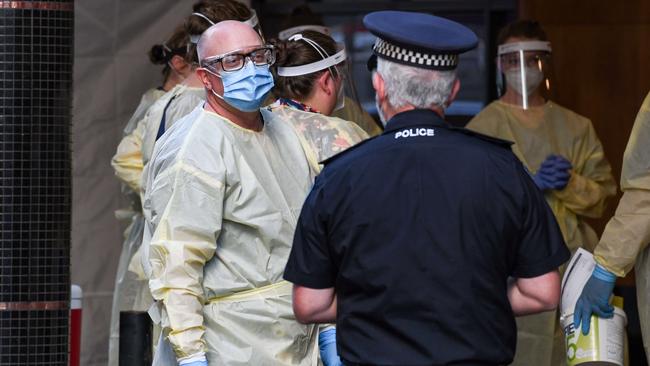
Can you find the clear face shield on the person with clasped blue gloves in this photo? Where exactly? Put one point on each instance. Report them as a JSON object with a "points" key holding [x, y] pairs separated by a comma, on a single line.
{"points": [[524, 72]]}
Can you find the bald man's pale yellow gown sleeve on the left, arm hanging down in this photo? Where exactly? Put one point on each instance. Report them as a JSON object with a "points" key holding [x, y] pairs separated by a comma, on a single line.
{"points": [[183, 241]]}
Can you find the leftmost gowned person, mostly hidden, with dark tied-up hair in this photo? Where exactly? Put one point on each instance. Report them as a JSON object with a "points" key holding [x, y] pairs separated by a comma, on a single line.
{"points": [[131, 288]]}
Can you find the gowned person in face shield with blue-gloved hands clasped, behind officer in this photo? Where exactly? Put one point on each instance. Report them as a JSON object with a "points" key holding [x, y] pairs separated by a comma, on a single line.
{"points": [[564, 155]]}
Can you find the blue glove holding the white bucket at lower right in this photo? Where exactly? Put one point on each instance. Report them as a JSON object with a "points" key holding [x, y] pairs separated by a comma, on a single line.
{"points": [[595, 298]]}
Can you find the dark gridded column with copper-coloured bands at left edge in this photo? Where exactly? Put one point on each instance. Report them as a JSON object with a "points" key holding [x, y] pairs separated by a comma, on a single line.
{"points": [[36, 41]]}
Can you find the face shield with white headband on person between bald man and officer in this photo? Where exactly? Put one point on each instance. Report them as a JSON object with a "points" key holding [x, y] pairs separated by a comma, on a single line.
{"points": [[336, 64]]}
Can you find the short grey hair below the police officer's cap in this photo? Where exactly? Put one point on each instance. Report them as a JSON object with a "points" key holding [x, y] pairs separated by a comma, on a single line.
{"points": [[419, 87]]}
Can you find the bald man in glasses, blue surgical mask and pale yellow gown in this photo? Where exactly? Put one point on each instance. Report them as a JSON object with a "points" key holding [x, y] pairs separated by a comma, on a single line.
{"points": [[223, 191]]}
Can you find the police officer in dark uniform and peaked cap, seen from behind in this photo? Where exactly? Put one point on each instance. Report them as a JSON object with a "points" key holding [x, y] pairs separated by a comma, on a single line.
{"points": [[430, 266]]}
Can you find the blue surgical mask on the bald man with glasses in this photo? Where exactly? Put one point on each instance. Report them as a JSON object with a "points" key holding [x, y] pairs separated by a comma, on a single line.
{"points": [[246, 89]]}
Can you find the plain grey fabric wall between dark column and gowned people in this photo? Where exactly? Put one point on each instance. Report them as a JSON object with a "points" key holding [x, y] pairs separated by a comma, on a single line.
{"points": [[111, 72]]}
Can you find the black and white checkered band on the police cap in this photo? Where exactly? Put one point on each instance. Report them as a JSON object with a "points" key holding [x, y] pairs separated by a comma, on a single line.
{"points": [[418, 59]]}
